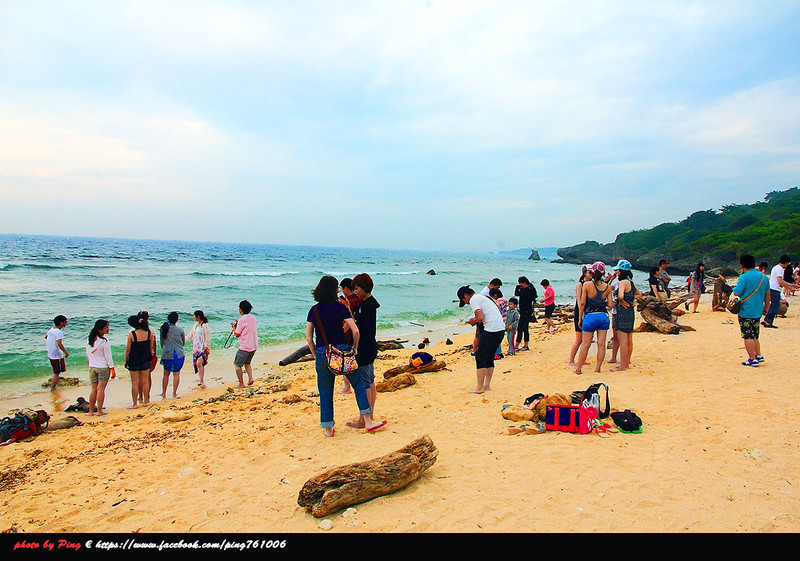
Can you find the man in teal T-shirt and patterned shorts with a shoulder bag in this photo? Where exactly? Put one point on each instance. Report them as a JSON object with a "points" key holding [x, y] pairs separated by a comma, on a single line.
{"points": [[753, 291]]}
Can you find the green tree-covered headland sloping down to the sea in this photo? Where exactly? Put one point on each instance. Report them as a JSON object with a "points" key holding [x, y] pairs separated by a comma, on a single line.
{"points": [[764, 229]]}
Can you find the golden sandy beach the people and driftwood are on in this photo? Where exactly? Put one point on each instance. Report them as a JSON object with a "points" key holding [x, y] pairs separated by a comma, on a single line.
{"points": [[718, 452]]}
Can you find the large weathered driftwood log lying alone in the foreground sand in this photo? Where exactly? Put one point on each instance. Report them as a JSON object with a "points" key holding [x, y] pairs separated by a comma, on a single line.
{"points": [[356, 483]]}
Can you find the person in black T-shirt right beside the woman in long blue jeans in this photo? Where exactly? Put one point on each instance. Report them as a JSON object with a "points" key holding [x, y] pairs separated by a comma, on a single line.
{"points": [[366, 318]]}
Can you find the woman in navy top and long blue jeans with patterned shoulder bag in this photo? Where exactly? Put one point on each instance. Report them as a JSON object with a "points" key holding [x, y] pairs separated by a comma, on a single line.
{"points": [[326, 321]]}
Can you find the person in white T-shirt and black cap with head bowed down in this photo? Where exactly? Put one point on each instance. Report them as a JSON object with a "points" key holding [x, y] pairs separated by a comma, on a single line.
{"points": [[487, 314]]}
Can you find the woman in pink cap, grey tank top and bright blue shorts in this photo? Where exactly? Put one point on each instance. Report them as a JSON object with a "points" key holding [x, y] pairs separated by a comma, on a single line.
{"points": [[595, 303]]}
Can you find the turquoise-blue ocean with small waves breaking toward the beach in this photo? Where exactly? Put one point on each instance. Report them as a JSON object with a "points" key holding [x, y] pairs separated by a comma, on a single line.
{"points": [[87, 279]]}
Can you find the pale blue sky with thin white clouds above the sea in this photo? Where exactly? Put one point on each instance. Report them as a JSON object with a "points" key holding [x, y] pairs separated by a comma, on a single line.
{"points": [[415, 124]]}
